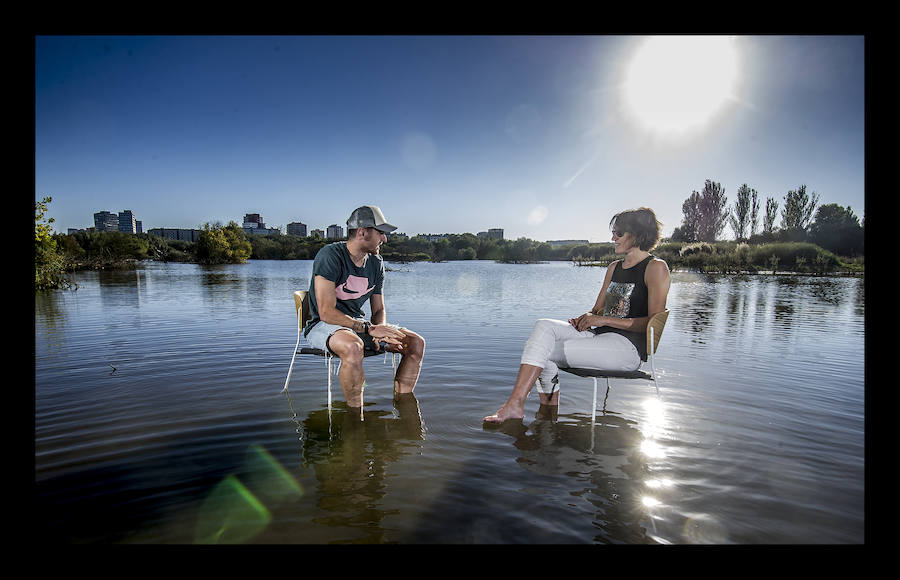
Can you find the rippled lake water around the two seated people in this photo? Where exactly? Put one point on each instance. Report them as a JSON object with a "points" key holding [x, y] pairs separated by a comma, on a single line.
{"points": [[160, 417]]}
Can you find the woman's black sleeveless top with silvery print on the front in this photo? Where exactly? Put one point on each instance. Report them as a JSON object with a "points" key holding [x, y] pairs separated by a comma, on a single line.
{"points": [[627, 297]]}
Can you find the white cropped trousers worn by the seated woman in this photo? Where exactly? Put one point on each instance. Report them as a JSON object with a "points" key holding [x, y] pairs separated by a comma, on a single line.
{"points": [[555, 343]]}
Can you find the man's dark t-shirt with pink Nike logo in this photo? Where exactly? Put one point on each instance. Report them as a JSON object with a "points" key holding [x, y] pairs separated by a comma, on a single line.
{"points": [[354, 285]]}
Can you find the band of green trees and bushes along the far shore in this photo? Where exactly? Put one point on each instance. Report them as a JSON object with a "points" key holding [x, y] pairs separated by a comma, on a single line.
{"points": [[822, 241]]}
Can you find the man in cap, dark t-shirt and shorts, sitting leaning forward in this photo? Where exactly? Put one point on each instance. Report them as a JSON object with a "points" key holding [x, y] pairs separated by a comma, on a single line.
{"points": [[345, 276]]}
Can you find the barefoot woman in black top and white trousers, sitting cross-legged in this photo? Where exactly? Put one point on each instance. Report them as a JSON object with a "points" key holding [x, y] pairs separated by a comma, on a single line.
{"points": [[612, 336]]}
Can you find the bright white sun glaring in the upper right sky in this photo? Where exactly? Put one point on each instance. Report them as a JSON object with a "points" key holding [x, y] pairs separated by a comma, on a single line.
{"points": [[677, 83]]}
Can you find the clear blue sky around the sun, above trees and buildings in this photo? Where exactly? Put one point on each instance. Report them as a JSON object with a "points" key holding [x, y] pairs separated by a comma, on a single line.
{"points": [[446, 134]]}
